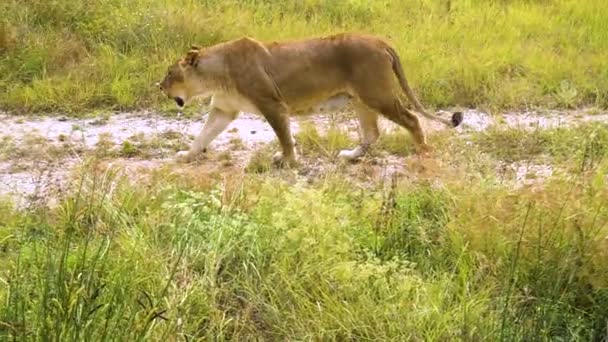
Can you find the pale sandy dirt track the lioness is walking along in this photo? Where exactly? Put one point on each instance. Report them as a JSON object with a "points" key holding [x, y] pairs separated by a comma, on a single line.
{"points": [[39, 153]]}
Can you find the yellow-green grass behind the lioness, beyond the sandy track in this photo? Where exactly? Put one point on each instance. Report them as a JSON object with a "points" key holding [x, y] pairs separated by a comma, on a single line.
{"points": [[71, 56]]}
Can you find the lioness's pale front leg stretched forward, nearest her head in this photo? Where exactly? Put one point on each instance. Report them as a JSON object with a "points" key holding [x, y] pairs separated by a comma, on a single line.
{"points": [[217, 123]]}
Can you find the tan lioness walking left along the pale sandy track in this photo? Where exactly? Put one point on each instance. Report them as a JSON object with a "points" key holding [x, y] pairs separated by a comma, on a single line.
{"points": [[278, 79]]}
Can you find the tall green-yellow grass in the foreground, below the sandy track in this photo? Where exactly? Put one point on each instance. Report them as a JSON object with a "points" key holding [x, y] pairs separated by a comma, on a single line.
{"points": [[257, 258]]}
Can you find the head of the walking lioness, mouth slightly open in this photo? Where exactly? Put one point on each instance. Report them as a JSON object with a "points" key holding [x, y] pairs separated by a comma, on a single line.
{"points": [[194, 75]]}
